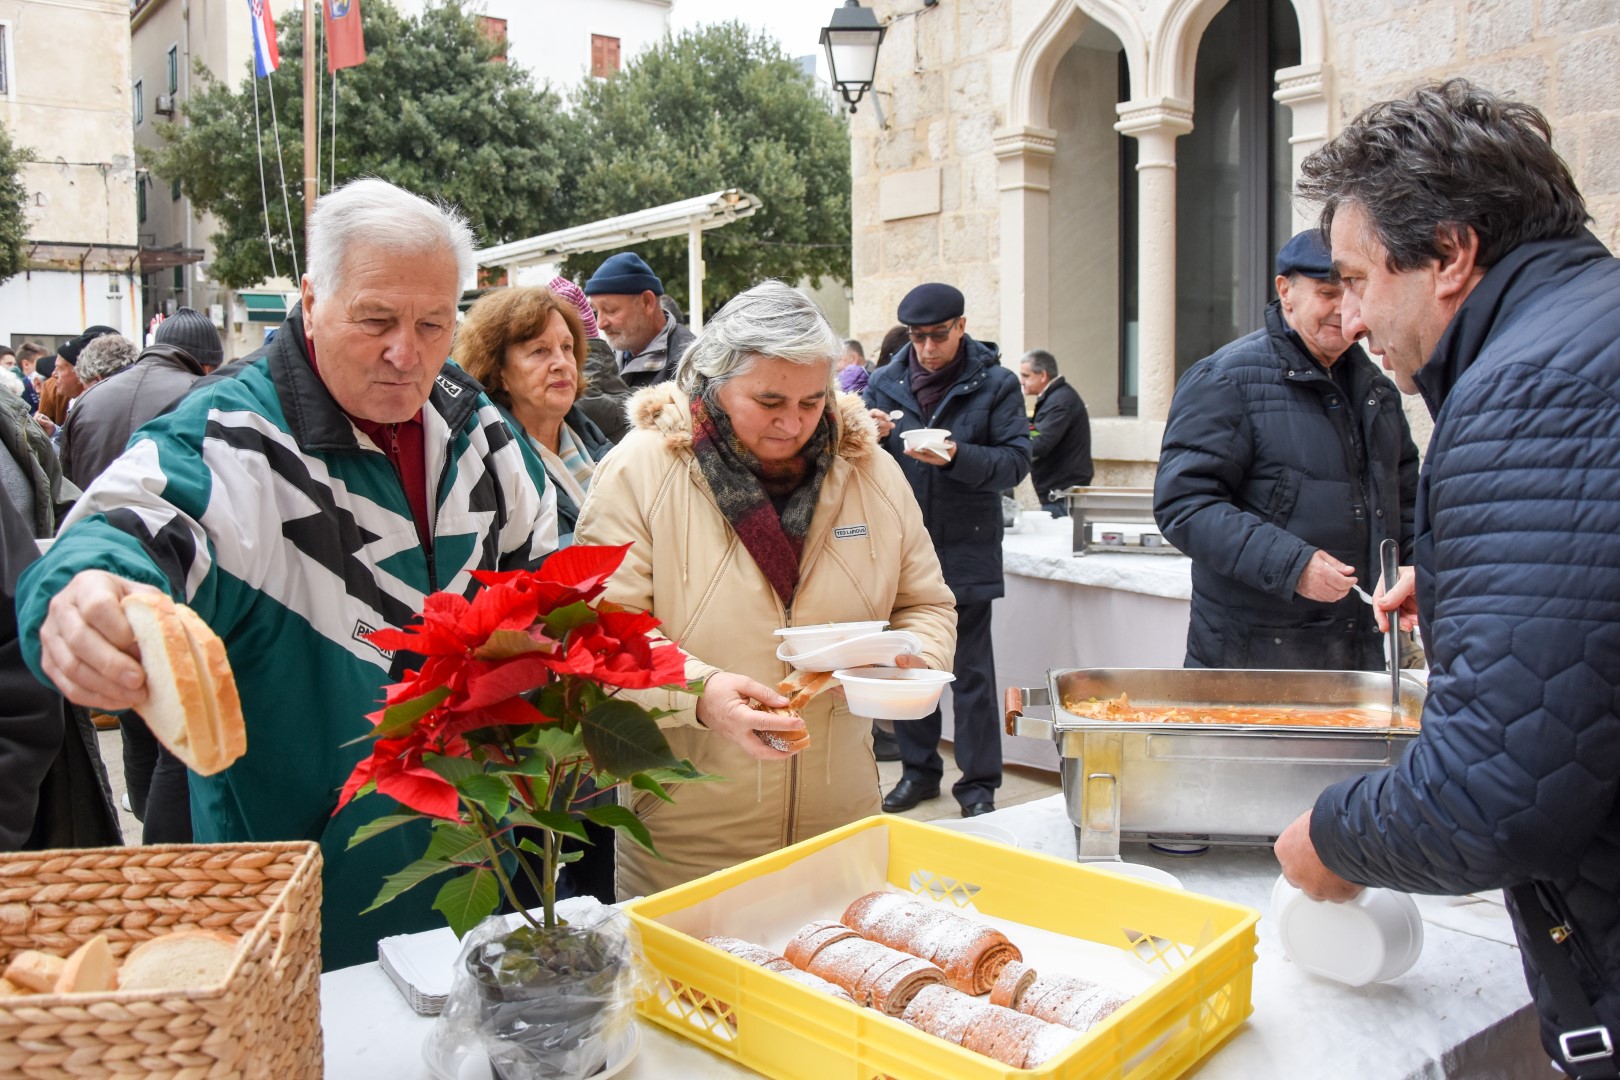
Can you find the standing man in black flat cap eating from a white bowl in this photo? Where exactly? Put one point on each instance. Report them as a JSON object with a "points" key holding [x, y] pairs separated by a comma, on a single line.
{"points": [[947, 380]]}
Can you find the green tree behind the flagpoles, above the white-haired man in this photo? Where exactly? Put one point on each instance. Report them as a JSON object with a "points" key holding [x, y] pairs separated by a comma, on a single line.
{"points": [[427, 111]]}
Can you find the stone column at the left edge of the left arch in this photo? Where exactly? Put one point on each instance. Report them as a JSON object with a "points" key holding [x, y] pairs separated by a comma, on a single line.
{"points": [[1025, 181]]}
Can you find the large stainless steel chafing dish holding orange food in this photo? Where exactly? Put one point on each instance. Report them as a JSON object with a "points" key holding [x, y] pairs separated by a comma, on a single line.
{"points": [[1232, 783]]}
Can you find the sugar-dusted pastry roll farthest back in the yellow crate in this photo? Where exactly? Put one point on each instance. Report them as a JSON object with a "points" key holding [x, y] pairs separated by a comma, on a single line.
{"points": [[971, 955]]}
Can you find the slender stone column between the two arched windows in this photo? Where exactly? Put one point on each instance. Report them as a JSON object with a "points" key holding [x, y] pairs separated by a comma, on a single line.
{"points": [[1156, 125]]}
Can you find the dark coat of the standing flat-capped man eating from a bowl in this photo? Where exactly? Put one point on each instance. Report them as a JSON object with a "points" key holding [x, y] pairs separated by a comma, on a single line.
{"points": [[961, 503]]}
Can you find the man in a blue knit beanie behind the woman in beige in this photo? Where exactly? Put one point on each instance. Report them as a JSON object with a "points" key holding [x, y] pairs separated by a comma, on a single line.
{"points": [[647, 341]]}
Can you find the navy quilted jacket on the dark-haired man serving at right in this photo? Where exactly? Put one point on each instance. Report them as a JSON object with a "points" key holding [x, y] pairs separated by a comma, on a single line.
{"points": [[1517, 772]]}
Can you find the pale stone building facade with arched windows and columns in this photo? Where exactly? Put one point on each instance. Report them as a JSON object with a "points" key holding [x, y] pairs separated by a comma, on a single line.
{"points": [[1109, 179]]}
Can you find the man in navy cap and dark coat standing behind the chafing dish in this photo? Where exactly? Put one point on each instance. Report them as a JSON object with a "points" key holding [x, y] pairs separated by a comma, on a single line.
{"points": [[1287, 462]]}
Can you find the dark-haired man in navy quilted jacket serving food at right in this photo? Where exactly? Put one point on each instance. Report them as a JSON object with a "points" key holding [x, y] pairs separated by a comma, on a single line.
{"points": [[1462, 244]]}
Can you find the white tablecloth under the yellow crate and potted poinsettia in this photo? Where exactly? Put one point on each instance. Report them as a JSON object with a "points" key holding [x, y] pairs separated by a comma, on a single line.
{"points": [[1462, 1011]]}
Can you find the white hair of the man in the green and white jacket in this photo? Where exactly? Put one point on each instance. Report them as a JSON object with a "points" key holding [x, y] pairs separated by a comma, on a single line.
{"points": [[373, 213]]}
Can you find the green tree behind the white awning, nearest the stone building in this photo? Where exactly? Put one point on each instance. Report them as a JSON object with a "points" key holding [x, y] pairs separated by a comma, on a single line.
{"points": [[720, 108]]}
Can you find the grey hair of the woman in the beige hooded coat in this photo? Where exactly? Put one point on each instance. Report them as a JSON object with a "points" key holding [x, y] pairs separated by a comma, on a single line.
{"points": [[770, 320]]}
